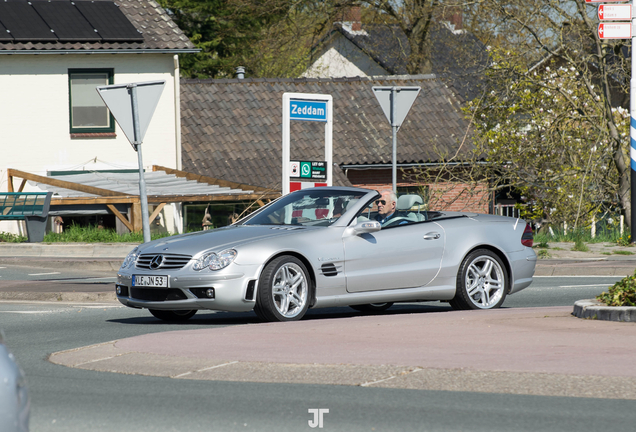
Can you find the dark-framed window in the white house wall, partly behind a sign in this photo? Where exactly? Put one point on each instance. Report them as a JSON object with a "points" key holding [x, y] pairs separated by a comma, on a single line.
{"points": [[88, 112]]}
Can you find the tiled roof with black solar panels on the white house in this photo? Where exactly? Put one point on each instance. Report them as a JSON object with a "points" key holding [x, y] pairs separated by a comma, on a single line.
{"points": [[85, 25]]}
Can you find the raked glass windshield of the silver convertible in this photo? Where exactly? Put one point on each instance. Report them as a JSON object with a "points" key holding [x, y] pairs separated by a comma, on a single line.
{"points": [[310, 208]]}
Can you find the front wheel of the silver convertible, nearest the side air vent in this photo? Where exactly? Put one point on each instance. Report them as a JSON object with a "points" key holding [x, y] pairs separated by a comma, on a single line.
{"points": [[284, 290]]}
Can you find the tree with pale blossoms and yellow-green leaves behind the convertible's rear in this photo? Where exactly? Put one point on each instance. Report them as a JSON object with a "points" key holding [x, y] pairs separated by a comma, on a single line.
{"points": [[541, 132]]}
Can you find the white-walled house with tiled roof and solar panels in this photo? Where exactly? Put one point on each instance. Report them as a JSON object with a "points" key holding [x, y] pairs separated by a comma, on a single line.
{"points": [[52, 56]]}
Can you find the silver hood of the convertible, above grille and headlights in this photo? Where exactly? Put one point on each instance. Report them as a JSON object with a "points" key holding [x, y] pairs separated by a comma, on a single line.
{"points": [[217, 239]]}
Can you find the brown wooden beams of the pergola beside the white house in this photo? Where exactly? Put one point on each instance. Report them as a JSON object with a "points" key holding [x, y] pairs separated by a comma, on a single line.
{"points": [[110, 198]]}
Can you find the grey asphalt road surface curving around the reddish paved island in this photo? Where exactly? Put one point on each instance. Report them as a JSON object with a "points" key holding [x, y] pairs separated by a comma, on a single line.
{"points": [[70, 400]]}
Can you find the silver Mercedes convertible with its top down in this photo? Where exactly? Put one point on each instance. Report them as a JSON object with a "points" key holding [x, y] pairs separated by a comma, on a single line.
{"points": [[322, 247]]}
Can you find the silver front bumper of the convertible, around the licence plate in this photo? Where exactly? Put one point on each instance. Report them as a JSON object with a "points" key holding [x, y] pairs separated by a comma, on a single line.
{"points": [[234, 289]]}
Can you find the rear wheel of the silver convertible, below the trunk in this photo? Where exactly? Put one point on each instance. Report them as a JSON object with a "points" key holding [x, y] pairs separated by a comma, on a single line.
{"points": [[482, 282]]}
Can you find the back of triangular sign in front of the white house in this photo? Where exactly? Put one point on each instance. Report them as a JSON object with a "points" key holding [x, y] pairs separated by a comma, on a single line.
{"points": [[118, 99]]}
